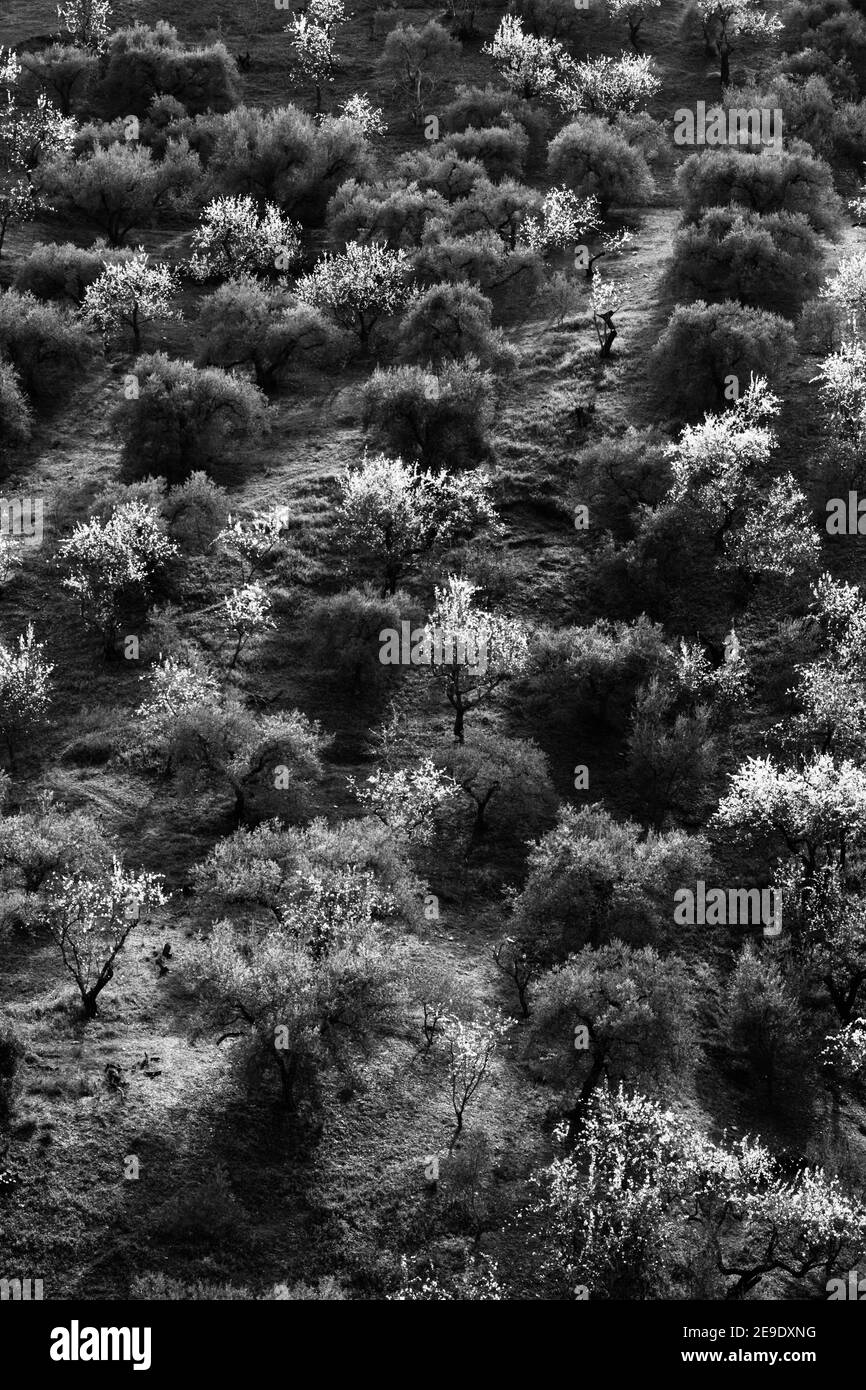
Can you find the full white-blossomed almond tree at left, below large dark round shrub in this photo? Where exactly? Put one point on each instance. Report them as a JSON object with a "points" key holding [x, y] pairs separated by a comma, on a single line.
{"points": [[111, 564]]}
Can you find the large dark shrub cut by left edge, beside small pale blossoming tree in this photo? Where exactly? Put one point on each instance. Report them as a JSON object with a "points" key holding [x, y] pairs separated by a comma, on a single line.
{"points": [[44, 344]]}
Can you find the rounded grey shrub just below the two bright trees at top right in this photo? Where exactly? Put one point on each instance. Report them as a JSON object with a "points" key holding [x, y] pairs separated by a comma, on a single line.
{"points": [[593, 158]]}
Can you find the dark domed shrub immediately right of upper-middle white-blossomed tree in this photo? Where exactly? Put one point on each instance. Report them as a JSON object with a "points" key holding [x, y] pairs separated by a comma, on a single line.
{"points": [[450, 322]]}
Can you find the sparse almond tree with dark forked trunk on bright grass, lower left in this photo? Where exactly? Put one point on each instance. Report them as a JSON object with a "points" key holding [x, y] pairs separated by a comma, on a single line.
{"points": [[91, 919]]}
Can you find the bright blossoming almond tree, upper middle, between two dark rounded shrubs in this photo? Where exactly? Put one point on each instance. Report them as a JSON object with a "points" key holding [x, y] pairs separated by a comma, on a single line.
{"points": [[362, 286]]}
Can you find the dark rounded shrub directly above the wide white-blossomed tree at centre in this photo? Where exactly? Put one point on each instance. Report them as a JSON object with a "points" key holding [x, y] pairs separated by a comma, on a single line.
{"points": [[440, 420]]}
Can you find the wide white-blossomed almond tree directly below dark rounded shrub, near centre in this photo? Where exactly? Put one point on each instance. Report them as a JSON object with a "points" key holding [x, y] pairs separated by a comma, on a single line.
{"points": [[393, 514]]}
